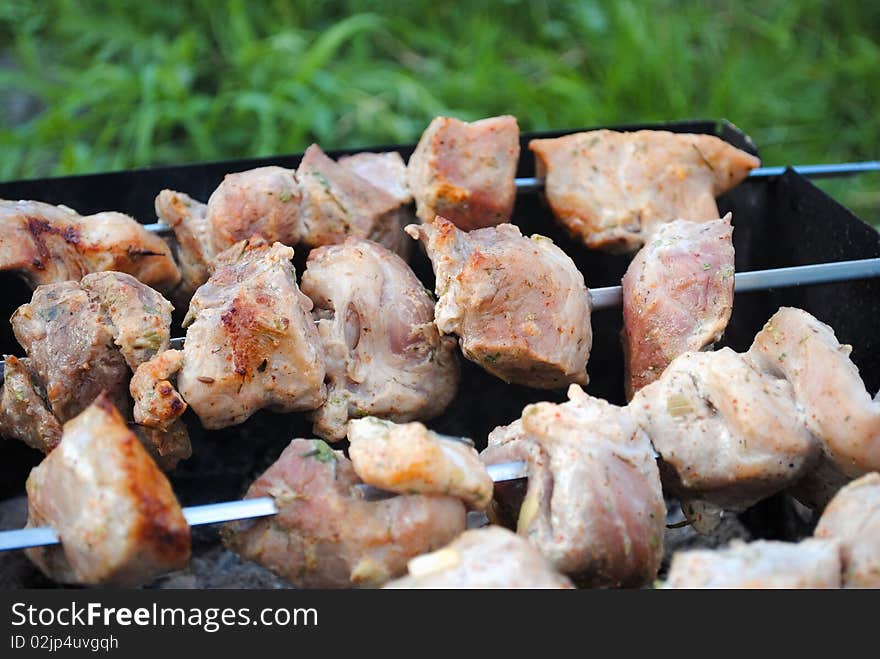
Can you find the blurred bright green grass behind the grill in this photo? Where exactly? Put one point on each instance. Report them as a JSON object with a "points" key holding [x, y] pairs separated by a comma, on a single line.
{"points": [[101, 85]]}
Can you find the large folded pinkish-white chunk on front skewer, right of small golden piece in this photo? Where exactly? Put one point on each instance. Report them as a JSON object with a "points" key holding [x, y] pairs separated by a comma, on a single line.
{"points": [[594, 505]]}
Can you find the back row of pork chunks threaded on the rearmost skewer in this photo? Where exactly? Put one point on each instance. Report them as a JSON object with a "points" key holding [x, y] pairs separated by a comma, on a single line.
{"points": [[459, 170]]}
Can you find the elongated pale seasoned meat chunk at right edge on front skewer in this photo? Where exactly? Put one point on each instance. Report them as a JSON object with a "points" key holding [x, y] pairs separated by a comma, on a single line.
{"points": [[795, 345]]}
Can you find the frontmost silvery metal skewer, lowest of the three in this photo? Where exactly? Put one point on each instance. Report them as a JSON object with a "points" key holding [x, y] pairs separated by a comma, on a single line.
{"points": [[228, 511]]}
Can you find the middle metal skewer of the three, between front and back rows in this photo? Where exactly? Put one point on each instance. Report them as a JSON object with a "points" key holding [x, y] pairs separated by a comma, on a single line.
{"points": [[610, 297]]}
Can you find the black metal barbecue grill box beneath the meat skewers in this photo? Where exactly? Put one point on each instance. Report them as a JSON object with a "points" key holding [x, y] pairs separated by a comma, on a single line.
{"points": [[779, 221]]}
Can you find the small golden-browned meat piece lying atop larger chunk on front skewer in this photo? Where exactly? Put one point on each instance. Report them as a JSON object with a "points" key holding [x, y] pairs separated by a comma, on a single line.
{"points": [[410, 459]]}
